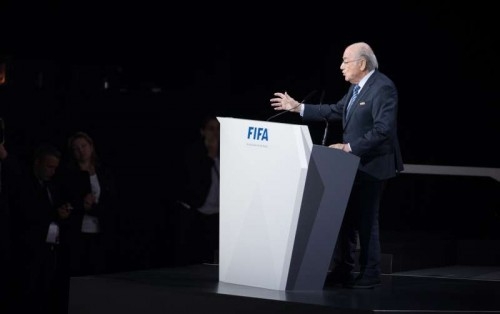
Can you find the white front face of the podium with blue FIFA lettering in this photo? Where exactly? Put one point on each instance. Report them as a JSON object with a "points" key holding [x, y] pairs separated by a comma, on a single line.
{"points": [[262, 177]]}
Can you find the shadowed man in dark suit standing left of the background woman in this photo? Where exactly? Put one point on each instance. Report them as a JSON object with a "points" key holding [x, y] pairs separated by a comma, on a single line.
{"points": [[40, 222]]}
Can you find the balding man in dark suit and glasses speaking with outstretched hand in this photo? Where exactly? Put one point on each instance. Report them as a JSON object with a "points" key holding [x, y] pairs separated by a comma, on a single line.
{"points": [[369, 118]]}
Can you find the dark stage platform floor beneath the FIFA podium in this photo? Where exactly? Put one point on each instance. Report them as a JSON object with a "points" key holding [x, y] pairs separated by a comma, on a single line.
{"points": [[196, 289]]}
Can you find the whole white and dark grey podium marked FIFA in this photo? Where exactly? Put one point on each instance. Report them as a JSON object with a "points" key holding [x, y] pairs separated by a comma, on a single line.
{"points": [[282, 201]]}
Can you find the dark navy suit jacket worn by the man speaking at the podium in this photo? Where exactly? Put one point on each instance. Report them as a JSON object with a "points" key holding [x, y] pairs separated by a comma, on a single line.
{"points": [[370, 128]]}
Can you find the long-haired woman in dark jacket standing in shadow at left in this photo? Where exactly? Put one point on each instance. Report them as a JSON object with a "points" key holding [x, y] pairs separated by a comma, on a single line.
{"points": [[91, 187]]}
